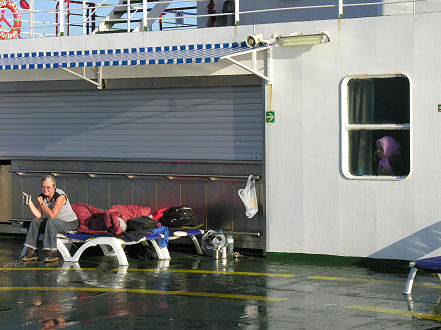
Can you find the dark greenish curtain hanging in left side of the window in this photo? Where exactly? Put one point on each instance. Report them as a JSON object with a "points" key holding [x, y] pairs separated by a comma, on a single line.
{"points": [[361, 111]]}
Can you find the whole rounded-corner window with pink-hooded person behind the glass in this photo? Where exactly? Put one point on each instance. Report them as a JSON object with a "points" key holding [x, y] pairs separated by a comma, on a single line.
{"points": [[376, 127]]}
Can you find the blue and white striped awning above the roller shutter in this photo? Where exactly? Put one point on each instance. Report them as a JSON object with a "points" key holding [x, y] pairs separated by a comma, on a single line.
{"points": [[204, 53]]}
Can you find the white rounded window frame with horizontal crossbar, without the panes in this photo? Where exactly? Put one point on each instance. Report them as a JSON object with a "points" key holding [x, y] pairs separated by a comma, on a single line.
{"points": [[346, 128]]}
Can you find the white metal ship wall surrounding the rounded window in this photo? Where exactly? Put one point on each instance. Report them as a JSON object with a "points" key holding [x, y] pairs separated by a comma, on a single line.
{"points": [[310, 206]]}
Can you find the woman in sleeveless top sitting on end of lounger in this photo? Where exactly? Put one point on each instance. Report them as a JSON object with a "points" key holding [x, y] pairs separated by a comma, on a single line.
{"points": [[53, 215]]}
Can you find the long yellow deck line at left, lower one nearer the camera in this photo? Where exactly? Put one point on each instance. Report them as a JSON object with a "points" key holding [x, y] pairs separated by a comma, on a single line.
{"points": [[178, 293]]}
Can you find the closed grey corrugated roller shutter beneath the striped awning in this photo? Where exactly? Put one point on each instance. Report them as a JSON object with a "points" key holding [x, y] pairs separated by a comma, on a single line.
{"points": [[220, 123]]}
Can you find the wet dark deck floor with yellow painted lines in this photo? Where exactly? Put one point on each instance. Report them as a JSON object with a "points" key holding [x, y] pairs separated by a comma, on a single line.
{"points": [[197, 292]]}
